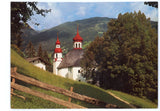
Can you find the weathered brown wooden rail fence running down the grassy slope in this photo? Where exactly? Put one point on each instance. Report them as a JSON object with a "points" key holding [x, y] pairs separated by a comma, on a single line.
{"points": [[71, 94]]}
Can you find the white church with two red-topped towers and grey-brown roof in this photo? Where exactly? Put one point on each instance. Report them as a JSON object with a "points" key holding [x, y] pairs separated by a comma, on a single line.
{"points": [[69, 66]]}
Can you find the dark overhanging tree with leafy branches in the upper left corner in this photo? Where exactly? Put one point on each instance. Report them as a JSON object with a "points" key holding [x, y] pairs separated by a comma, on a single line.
{"points": [[20, 14]]}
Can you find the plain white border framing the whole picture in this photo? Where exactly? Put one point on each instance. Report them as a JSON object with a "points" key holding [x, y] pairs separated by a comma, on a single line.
{"points": [[5, 55]]}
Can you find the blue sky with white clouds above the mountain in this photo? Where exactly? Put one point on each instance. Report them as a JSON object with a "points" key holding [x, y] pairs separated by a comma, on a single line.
{"points": [[70, 11]]}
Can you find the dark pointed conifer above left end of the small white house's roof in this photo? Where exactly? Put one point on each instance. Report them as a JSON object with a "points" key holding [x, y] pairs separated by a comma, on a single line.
{"points": [[30, 51]]}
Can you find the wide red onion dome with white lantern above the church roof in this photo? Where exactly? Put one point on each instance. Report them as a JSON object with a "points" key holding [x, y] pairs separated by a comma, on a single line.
{"points": [[77, 41]]}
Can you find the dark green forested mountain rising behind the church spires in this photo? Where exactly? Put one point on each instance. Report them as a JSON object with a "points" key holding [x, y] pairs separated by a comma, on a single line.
{"points": [[88, 29]]}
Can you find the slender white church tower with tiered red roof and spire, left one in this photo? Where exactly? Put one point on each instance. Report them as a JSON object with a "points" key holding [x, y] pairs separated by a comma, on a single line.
{"points": [[57, 58]]}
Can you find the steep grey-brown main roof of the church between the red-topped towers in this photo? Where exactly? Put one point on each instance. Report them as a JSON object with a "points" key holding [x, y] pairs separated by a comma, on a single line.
{"points": [[72, 59]]}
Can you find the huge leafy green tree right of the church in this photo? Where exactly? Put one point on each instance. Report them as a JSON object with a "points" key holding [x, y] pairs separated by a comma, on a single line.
{"points": [[126, 57]]}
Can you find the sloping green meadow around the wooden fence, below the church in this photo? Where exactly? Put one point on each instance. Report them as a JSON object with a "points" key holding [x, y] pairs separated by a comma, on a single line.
{"points": [[82, 88]]}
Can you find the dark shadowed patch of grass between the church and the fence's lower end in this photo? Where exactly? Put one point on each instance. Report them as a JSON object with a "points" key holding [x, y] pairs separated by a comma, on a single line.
{"points": [[95, 92]]}
